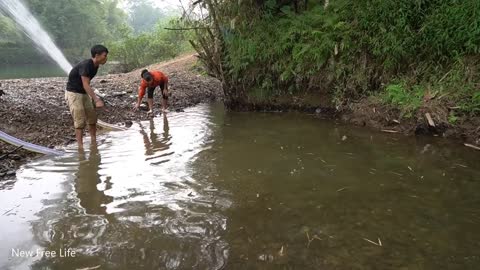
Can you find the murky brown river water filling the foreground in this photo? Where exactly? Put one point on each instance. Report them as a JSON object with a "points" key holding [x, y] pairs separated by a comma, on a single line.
{"points": [[209, 189]]}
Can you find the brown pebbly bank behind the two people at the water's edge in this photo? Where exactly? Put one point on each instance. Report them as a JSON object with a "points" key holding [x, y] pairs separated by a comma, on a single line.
{"points": [[34, 110]]}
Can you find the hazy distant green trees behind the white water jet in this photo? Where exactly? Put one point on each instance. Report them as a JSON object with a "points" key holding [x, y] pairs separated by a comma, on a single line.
{"points": [[135, 39]]}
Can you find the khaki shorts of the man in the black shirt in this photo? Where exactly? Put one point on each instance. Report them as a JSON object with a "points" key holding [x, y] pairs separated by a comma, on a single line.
{"points": [[81, 108]]}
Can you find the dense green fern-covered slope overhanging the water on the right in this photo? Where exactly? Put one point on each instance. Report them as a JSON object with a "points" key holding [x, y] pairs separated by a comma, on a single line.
{"points": [[403, 52]]}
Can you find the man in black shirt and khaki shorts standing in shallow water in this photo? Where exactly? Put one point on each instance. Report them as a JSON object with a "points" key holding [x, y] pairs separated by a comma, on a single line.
{"points": [[80, 96]]}
